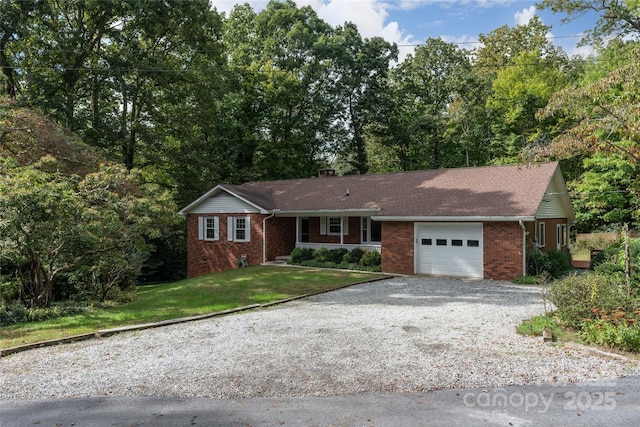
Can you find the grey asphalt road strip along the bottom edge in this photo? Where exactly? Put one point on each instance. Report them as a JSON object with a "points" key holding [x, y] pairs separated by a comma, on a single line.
{"points": [[606, 403]]}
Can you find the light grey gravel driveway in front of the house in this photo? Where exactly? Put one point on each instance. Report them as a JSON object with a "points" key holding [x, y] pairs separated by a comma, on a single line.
{"points": [[396, 335]]}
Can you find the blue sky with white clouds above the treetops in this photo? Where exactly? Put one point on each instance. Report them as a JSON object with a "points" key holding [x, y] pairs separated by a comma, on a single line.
{"points": [[410, 22]]}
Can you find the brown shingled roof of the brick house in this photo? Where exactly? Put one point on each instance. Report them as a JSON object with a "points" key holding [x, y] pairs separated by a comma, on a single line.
{"points": [[493, 191]]}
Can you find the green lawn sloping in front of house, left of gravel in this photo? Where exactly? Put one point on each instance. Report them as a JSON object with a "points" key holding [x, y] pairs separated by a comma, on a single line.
{"points": [[199, 295]]}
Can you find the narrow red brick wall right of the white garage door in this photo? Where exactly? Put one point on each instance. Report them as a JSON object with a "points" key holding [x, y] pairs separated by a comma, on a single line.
{"points": [[502, 250]]}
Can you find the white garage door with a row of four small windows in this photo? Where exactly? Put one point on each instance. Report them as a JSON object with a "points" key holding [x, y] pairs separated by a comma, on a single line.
{"points": [[451, 249]]}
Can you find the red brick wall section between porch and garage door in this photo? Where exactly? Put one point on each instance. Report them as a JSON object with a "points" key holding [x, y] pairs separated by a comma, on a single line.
{"points": [[397, 247]]}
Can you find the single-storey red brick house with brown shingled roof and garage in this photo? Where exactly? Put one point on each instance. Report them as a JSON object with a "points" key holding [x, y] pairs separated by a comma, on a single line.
{"points": [[470, 222]]}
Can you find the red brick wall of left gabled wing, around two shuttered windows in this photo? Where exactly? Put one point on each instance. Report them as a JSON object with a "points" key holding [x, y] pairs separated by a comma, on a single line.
{"points": [[205, 256]]}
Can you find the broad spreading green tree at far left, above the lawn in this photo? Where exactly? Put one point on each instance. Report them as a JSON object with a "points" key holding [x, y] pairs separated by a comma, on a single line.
{"points": [[50, 224]]}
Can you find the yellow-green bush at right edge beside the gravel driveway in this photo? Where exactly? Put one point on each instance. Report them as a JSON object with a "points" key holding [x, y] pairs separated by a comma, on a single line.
{"points": [[576, 296]]}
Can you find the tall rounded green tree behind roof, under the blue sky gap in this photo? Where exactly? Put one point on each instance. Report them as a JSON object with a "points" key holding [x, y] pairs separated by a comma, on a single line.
{"points": [[414, 114]]}
